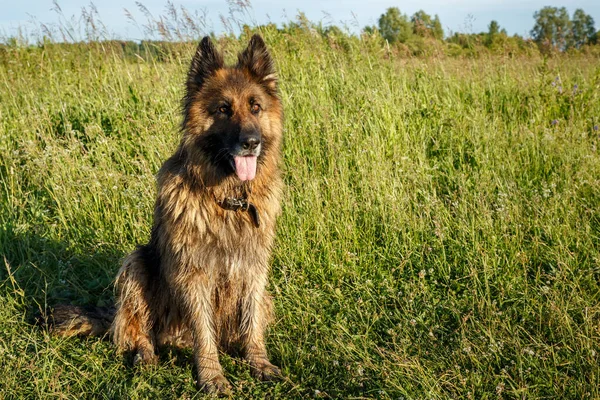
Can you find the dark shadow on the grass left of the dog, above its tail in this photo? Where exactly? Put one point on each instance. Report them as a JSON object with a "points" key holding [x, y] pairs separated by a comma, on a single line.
{"points": [[51, 272]]}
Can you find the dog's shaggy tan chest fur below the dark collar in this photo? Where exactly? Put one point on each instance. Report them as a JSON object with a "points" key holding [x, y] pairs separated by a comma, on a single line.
{"points": [[199, 234]]}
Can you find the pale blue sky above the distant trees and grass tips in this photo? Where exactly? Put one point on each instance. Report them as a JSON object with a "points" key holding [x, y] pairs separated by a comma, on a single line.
{"points": [[470, 16]]}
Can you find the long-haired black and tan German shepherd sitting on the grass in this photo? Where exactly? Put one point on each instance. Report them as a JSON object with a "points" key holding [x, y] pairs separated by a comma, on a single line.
{"points": [[200, 281]]}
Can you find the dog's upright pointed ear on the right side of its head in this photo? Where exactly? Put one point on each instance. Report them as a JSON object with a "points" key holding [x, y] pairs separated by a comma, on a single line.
{"points": [[257, 60]]}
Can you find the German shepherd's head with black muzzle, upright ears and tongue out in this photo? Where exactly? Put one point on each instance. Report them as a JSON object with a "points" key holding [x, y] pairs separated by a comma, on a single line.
{"points": [[232, 115]]}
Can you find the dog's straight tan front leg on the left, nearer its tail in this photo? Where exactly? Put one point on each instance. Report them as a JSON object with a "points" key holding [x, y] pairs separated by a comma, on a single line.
{"points": [[195, 301]]}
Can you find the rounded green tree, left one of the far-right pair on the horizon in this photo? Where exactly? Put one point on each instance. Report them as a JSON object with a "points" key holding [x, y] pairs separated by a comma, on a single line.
{"points": [[552, 28]]}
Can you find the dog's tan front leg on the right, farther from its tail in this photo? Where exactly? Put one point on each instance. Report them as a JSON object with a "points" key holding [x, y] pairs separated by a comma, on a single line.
{"points": [[255, 315]]}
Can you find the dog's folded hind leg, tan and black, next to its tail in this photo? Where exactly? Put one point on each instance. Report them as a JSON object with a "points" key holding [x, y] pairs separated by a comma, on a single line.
{"points": [[136, 312]]}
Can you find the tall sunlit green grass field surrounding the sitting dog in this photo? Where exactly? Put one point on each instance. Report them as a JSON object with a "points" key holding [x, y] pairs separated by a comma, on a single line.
{"points": [[440, 235]]}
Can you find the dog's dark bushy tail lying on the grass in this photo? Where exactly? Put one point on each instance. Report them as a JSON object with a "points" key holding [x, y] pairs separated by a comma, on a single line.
{"points": [[68, 320]]}
